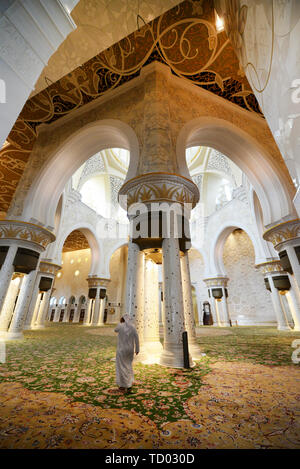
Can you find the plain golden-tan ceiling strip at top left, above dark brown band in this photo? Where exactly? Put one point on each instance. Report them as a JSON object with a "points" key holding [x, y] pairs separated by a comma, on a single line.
{"points": [[100, 24]]}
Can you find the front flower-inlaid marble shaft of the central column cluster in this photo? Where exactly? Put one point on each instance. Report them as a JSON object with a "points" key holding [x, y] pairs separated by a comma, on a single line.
{"points": [[173, 305]]}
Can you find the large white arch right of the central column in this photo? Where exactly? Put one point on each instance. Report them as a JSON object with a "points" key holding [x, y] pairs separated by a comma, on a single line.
{"points": [[273, 187]]}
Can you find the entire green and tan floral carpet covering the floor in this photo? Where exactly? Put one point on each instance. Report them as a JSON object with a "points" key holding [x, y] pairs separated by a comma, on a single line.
{"points": [[57, 390]]}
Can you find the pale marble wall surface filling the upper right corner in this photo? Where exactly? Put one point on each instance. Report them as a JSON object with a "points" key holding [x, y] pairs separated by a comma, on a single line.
{"points": [[265, 36]]}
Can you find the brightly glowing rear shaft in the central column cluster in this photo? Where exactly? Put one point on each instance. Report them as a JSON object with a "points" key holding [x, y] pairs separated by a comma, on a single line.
{"points": [[152, 344]]}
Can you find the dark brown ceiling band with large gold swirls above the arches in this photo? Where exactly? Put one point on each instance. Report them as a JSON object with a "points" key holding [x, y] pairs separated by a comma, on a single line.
{"points": [[184, 38]]}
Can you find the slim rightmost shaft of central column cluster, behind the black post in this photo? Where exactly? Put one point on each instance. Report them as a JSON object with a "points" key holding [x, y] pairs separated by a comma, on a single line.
{"points": [[189, 318]]}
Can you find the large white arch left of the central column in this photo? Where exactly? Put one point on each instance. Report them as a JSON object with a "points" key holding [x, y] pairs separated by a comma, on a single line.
{"points": [[49, 178]]}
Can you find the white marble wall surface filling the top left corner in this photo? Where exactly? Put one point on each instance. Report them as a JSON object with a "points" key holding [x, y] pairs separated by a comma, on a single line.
{"points": [[30, 32]]}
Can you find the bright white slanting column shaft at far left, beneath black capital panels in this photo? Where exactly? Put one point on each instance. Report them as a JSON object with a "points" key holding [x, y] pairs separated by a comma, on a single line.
{"points": [[16, 326]]}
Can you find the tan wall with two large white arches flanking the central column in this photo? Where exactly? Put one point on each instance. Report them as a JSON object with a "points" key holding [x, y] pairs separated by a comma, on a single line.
{"points": [[245, 138]]}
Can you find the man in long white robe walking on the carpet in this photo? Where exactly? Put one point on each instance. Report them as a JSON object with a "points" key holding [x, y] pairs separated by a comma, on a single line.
{"points": [[128, 343]]}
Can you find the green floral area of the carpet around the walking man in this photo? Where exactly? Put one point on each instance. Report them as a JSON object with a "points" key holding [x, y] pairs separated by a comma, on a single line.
{"points": [[71, 360]]}
